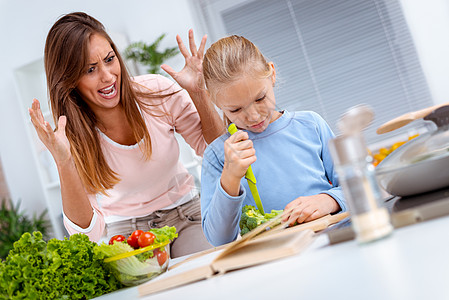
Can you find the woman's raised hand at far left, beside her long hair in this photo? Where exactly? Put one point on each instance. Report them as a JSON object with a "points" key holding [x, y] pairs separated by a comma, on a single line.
{"points": [[55, 141]]}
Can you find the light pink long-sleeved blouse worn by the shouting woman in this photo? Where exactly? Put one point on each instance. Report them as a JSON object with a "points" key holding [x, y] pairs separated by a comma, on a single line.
{"points": [[146, 186]]}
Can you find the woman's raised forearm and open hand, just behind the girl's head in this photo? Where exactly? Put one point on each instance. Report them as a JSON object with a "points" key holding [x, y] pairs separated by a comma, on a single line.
{"points": [[191, 79]]}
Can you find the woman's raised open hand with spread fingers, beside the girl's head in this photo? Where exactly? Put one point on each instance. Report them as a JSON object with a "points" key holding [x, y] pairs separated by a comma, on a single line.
{"points": [[191, 76]]}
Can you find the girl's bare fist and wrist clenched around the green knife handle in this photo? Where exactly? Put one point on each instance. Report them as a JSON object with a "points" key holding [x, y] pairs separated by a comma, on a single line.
{"points": [[239, 155]]}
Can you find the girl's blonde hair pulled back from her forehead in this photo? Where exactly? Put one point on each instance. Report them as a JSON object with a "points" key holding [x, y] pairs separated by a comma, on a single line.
{"points": [[229, 59]]}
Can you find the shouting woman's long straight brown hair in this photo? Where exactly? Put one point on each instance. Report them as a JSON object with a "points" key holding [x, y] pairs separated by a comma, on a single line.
{"points": [[66, 55]]}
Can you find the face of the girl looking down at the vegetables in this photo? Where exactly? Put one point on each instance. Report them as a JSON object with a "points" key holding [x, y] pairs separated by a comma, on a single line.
{"points": [[249, 102]]}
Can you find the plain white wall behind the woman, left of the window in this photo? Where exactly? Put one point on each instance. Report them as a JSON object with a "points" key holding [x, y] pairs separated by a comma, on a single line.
{"points": [[23, 29]]}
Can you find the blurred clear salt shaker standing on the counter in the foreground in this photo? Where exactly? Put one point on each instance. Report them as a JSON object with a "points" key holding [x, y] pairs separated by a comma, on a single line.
{"points": [[356, 174]]}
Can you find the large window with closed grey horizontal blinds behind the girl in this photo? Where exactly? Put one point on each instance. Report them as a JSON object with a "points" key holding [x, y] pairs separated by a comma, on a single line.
{"points": [[331, 54]]}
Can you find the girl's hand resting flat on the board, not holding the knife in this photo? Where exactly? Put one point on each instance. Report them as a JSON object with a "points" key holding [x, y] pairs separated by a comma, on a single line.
{"points": [[305, 209]]}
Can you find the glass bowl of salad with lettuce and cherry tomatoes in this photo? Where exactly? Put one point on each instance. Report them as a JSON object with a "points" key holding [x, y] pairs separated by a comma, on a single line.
{"points": [[133, 265]]}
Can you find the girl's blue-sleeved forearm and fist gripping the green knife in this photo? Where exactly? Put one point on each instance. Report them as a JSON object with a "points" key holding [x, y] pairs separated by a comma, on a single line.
{"points": [[222, 193]]}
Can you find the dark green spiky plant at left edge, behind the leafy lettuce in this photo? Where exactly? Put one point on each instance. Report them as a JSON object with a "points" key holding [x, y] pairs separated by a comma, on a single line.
{"points": [[14, 223]]}
